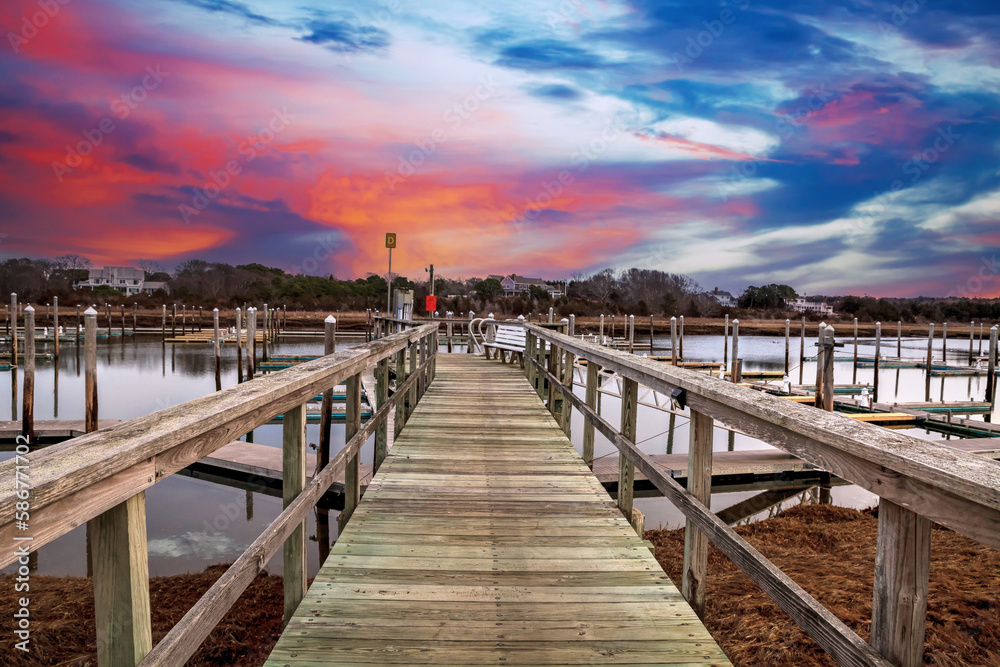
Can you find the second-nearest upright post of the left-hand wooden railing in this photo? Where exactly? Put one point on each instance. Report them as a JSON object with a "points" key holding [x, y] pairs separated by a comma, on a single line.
{"points": [[293, 480]]}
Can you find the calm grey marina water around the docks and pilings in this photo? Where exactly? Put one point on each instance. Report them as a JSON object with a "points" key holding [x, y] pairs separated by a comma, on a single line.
{"points": [[195, 523]]}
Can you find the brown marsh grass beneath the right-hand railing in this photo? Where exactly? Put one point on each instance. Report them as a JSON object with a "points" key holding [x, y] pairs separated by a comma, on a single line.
{"points": [[830, 552]]}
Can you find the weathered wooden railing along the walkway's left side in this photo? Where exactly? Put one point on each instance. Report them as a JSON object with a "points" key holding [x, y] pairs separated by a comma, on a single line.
{"points": [[100, 479]]}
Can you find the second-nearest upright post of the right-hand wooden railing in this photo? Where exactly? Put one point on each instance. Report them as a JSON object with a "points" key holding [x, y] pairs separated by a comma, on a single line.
{"points": [[699, 485]]}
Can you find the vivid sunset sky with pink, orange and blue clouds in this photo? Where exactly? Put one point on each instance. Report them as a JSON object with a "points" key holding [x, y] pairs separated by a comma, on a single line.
{"points": [[848, 146]]}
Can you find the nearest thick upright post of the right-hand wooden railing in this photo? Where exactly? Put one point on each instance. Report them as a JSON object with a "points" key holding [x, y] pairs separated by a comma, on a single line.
{"points": [[902, 565]]}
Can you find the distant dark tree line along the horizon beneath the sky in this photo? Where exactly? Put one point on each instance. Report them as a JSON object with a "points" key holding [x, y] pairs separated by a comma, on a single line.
{"points": [[633, 291]]}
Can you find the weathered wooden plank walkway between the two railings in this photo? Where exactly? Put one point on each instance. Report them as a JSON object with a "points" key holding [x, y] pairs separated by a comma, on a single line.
{"points": [[485, 539]]}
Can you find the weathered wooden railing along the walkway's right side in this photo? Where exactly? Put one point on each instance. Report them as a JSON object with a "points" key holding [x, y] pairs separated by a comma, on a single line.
{"points": [[917, 481]]}
